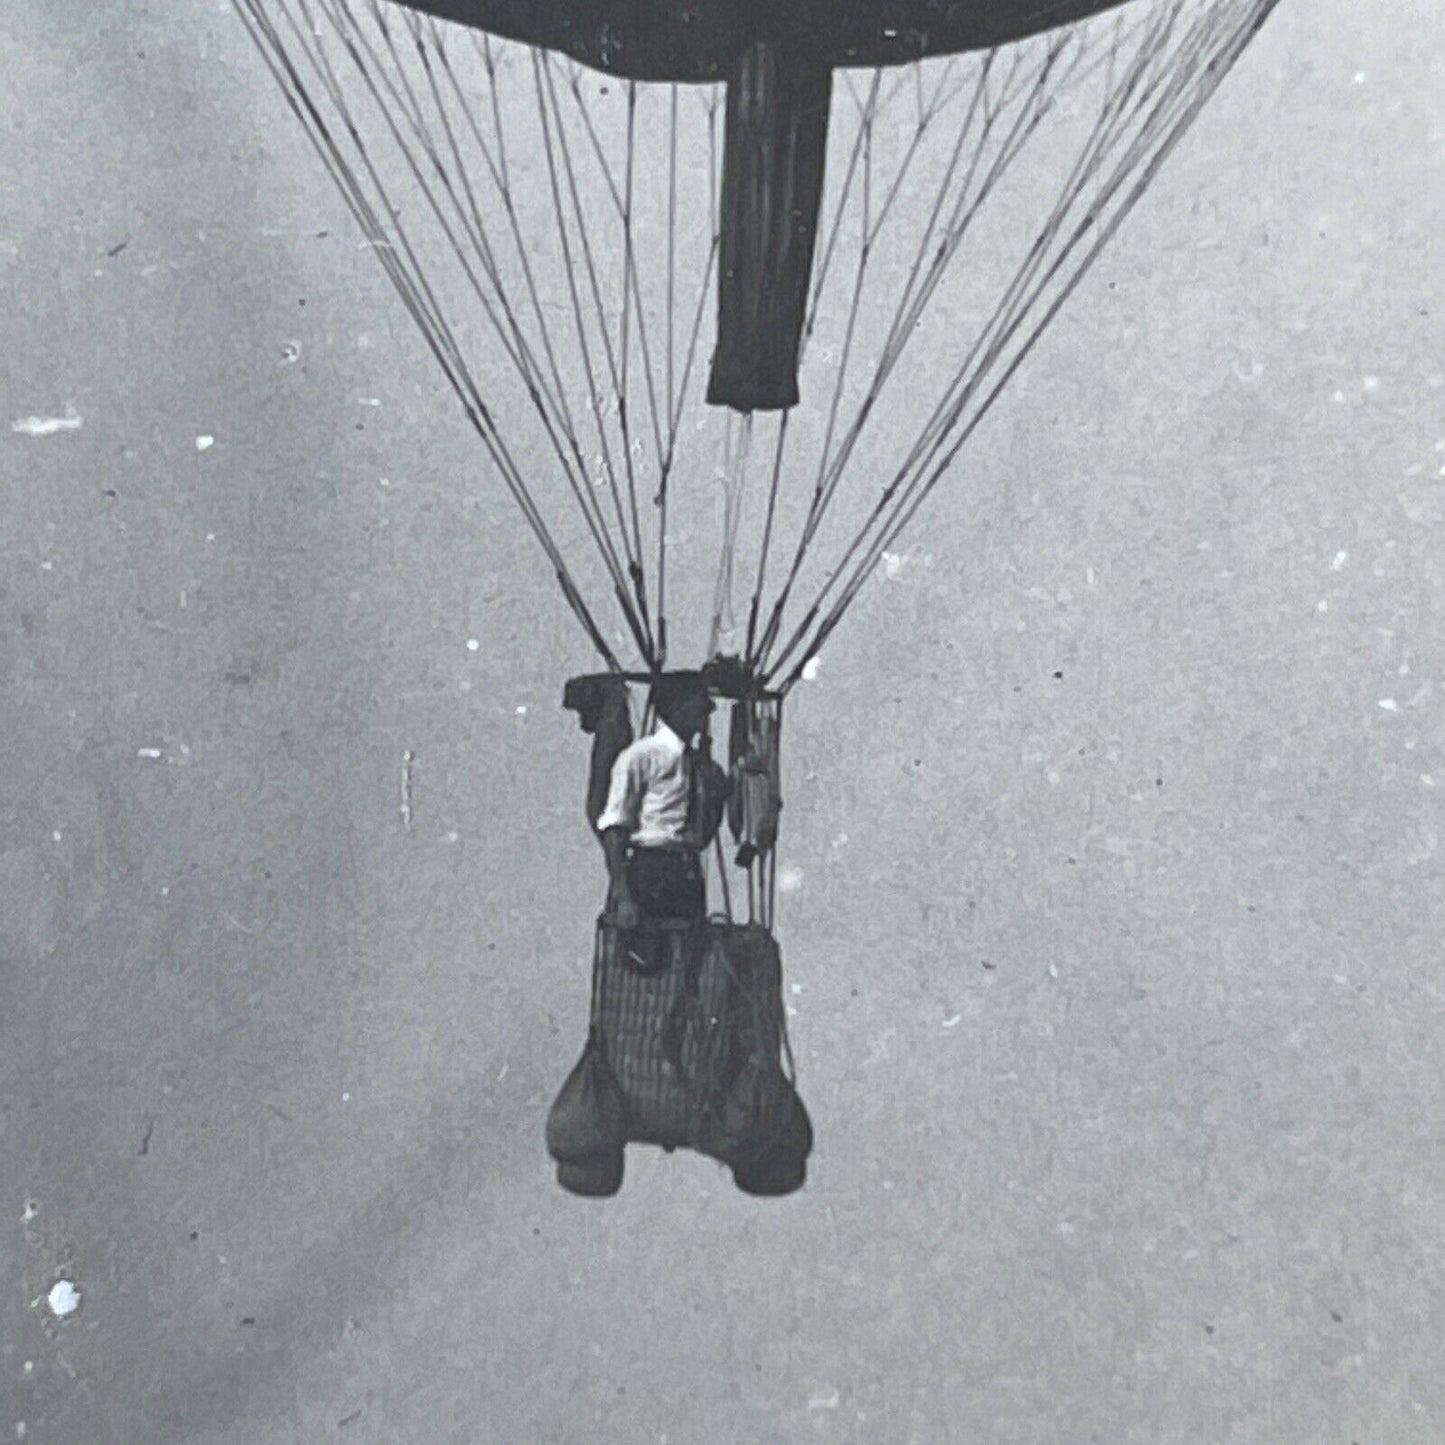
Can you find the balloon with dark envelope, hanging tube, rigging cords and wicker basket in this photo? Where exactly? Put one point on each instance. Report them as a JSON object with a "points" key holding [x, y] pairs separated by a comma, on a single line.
{"points": [[576, 199]]}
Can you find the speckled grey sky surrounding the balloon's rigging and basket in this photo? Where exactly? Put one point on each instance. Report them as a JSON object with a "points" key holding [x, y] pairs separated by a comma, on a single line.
{"points": [[1121, 1006]]}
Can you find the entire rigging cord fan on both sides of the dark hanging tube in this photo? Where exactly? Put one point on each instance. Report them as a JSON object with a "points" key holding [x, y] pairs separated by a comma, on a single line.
{"points": [[414, 128]]}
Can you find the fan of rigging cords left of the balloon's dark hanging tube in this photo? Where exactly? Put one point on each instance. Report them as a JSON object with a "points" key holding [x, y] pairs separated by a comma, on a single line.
{"points": [[365, 77]]}
